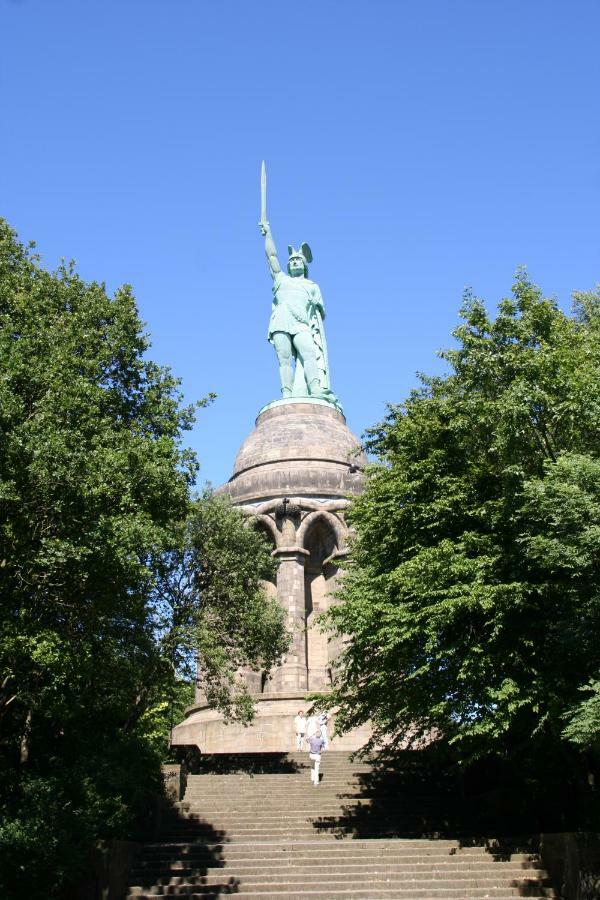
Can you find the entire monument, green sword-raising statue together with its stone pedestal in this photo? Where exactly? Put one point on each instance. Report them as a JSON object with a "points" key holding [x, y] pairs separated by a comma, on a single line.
{"points": [[294, 475]]}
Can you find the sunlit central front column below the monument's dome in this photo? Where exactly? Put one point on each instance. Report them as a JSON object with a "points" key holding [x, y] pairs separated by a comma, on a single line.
{"points": [[292, 675]]}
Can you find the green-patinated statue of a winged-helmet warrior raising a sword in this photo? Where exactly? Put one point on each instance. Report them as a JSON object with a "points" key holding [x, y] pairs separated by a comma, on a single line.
{"points": [[296, 325]]}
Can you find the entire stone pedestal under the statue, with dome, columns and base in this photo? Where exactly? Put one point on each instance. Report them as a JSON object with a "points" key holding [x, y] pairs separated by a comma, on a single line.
{"points": [[293, 475]]}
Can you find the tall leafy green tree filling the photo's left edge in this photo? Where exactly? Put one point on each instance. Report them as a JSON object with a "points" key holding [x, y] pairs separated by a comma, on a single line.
{"points": [[95, 494]]}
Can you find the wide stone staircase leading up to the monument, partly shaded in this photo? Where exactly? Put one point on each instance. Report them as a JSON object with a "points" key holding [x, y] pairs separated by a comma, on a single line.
{"points": [[256, 827]]}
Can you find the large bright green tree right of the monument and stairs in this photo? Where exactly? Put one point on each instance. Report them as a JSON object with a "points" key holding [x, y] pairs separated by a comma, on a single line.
{"points": [[472, 597]]}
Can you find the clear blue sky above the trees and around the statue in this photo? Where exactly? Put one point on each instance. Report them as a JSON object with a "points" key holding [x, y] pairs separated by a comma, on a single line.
{"points": [[419, 147]]}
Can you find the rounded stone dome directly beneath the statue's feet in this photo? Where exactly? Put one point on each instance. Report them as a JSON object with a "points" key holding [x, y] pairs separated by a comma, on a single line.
{"points": [[297, 448]]}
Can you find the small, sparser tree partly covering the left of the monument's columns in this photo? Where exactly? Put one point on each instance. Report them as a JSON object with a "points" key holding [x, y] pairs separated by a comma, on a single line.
{"points": [[210, 605]]}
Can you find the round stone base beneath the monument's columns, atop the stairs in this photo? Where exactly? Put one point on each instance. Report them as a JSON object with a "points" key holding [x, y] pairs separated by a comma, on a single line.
{"points": [[271, 732]]}
